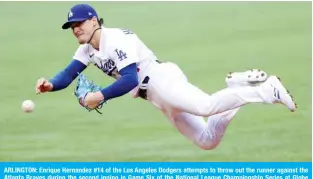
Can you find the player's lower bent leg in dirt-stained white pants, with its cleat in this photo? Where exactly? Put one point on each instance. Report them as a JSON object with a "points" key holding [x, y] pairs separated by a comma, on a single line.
{"points": [[207, 135]]}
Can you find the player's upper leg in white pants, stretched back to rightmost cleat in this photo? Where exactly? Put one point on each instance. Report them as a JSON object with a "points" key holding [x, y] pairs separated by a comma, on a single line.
{"points": [[180, 94]]}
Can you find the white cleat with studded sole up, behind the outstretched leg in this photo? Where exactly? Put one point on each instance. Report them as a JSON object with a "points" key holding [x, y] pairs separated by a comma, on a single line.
{"points": [[251, 77]]}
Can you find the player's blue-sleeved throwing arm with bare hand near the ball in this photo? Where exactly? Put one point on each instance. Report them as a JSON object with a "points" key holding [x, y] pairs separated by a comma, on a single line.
{"points": [[62, 80]]}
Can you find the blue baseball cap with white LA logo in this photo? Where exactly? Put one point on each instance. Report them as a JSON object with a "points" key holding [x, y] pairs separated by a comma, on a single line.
{"points": [[79, 13]]}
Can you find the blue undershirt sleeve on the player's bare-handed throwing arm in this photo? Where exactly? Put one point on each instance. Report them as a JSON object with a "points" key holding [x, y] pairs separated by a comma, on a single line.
{"points": [[65, 77]]}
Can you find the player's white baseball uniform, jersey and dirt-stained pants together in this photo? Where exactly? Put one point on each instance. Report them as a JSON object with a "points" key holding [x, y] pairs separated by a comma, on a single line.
{"points": [[168, 88]]}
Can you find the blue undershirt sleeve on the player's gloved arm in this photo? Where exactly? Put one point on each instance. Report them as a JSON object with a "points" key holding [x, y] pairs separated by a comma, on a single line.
{"points": [[127, 82]]}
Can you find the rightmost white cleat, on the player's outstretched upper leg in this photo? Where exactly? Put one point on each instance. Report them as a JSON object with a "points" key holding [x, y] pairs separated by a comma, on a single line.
{"points": [[280, 93]]}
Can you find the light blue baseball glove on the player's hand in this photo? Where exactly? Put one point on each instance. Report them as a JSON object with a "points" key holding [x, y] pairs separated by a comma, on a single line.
{"points": [[83, 87]]}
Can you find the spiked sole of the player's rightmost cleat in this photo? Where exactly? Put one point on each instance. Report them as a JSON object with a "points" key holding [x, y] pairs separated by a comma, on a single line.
{"points": [[286, 93]]}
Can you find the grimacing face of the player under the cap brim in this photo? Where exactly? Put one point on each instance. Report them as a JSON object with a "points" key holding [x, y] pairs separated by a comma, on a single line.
{"points": [[83, 30]]}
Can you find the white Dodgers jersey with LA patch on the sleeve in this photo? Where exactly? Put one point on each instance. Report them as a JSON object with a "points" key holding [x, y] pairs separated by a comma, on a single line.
{"points": [[118, 48]]}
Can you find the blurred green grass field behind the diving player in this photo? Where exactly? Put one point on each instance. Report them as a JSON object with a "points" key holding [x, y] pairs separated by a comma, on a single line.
{"points": [[206, 39]]}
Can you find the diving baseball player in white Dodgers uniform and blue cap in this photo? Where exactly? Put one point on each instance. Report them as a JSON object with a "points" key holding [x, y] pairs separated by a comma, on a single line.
{"points": [[120, 54]]}
